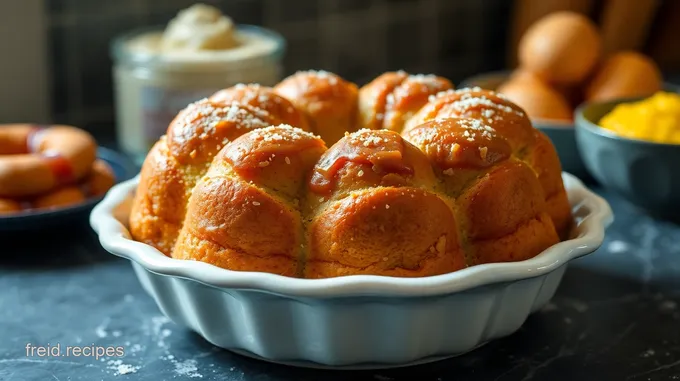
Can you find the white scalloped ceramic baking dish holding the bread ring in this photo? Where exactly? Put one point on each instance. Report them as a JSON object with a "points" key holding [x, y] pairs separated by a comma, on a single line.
{"points": [[354, 321]]}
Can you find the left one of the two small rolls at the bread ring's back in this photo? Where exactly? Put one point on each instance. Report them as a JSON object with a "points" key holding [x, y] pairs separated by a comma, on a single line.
{"points": [[328, 101]]}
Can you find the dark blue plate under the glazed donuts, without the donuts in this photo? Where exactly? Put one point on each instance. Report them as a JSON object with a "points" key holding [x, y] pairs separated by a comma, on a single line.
{"points": [[39, 219]]}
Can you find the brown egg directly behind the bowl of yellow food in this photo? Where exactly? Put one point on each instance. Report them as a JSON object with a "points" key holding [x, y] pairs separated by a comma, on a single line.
{"points": [[623, 75]]}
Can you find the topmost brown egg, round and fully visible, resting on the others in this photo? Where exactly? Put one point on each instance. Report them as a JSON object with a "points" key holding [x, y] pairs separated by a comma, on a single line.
{"points": [[562, 47]]}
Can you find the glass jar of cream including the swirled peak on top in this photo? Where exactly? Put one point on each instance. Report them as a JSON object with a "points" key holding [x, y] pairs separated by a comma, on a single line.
{"points": [[159, 71]]}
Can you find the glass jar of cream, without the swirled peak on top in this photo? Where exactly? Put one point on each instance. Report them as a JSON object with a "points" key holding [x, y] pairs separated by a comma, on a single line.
{"points": [[152, 87]]}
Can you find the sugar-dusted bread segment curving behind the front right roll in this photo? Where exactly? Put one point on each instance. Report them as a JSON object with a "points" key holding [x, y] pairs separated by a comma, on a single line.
{"points": [[511, 122]]}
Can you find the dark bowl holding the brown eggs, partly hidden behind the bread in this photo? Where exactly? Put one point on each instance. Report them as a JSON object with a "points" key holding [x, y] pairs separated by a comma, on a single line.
{"points": [[560, 133]]}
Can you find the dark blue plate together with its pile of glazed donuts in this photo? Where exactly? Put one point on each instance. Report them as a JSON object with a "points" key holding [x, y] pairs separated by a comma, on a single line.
{"points": [[51, 175]]}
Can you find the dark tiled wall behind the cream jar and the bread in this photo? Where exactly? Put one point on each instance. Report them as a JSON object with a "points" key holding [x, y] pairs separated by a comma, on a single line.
{"points": [[357, 39]]}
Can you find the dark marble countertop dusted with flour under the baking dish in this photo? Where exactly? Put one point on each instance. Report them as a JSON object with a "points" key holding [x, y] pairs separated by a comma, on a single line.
{"points": [[616, 316]]}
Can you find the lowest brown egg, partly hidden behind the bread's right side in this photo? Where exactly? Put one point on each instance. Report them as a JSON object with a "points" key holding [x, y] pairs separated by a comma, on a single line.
{"points": [[538, 100]]}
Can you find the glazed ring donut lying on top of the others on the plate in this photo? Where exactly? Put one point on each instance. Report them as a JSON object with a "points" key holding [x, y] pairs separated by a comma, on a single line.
{"points": [[35, 159]]}
